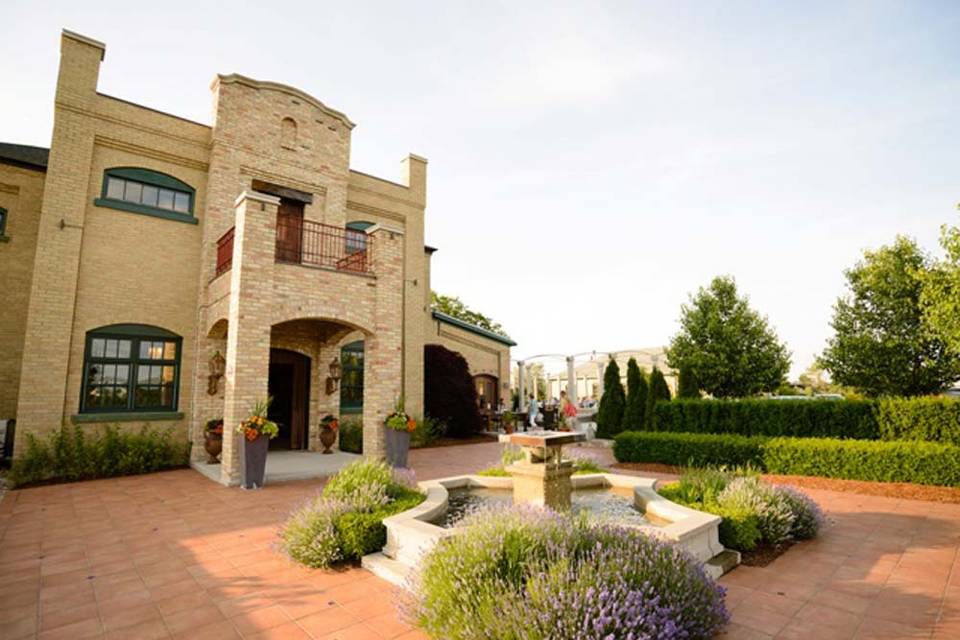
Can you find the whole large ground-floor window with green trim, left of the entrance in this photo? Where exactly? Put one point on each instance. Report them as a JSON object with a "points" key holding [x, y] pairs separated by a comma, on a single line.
{"points": [[130, 367]]}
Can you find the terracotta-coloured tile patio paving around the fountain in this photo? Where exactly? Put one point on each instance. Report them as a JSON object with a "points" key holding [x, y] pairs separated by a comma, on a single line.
{"points": [[175, 555]]}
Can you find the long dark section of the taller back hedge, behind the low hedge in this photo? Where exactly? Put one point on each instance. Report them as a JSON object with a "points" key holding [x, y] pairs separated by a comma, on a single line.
{"points": [[853, 419]]}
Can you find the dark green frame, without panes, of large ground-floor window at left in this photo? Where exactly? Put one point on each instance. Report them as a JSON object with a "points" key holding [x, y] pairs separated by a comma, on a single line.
{"points": [[136, 334]]}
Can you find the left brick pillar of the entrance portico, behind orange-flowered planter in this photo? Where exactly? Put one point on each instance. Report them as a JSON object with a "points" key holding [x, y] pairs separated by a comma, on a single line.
{"points": [[248, 334]]}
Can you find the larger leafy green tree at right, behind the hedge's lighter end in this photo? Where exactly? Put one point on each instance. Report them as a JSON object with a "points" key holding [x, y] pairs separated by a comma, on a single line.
{"points": [[882, 344]]}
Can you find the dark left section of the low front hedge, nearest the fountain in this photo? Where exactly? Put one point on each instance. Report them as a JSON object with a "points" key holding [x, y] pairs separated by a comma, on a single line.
{"points": [[687, 449]]}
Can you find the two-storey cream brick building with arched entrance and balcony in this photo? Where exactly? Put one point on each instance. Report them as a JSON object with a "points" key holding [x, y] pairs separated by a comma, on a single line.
{"points": [[142, 245]]}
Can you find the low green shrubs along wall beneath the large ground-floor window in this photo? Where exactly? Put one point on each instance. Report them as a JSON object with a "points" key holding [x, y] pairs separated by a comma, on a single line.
{"points": [[71, 453]]}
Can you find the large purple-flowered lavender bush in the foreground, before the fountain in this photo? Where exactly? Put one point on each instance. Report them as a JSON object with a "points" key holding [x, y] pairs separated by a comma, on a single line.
{"points": [[531, 574]]}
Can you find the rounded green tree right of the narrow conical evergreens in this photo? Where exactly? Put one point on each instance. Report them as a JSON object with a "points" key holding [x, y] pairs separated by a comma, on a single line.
{"points": [[731, 347]]}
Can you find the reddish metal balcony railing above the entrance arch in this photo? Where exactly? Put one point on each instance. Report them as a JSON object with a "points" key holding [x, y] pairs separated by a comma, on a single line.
{"points": [[312, 244]]}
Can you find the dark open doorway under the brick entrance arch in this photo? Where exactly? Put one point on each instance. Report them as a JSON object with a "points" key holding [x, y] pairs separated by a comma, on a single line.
{"points": [[289, 386]]}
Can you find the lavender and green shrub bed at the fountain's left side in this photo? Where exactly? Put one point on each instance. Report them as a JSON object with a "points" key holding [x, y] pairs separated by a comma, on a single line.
{"points": [[345, 522]]}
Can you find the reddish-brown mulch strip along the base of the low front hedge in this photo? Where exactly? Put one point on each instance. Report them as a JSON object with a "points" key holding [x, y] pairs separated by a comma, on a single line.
{"points": [[902, 490]]}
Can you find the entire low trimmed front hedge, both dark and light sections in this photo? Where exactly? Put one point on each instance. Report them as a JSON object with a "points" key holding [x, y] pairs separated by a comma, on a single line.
{"points": [[880, 461]]}
